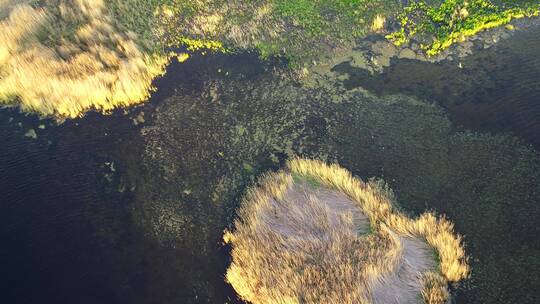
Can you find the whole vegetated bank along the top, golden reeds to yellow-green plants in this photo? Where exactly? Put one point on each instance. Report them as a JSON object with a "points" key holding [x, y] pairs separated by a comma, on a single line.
{"points": [[62, 58]]}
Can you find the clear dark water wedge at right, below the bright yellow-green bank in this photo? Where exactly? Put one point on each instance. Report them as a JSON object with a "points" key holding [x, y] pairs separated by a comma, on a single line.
{"points": [[495, 90]]}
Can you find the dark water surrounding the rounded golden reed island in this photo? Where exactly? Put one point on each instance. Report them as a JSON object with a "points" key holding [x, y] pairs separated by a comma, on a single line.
{"points": [[86, 212]]}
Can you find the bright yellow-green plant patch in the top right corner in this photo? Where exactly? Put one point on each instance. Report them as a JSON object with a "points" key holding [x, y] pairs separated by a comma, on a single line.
{"points": [[439, 26]]}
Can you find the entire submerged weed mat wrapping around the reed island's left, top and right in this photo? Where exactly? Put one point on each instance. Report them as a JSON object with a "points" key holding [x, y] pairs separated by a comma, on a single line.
{"points": [[220, 132]]}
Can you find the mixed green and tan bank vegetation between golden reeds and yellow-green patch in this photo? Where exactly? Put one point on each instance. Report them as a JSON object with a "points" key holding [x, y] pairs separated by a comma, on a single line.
{"points": [[300, 30]]}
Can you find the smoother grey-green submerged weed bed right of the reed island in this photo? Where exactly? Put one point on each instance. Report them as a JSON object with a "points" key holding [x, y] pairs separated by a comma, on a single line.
{"points": [[413, 147]]}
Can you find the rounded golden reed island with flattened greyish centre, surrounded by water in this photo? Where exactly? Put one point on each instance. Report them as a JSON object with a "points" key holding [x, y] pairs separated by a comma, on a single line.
{"points": [[313, 233]]}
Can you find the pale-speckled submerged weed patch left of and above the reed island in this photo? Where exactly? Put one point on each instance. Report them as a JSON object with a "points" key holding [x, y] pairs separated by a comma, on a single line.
{"points": [[245, 141]]}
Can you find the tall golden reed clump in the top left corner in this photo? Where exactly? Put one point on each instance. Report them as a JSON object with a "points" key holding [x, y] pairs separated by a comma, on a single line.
{"points": [[63, 58]]}
